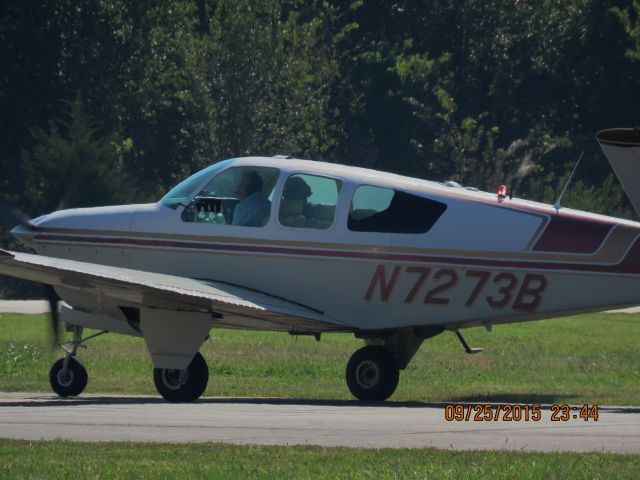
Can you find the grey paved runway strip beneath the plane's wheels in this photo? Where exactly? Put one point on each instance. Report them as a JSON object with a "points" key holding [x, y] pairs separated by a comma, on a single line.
{"points": [[34, 416]]}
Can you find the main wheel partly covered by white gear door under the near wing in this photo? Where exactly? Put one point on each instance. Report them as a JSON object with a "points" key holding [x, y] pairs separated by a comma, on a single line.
{"points": [[183, 385]]}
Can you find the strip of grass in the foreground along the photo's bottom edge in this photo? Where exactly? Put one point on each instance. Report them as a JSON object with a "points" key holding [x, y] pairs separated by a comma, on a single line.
{"points": [[22, 459]]}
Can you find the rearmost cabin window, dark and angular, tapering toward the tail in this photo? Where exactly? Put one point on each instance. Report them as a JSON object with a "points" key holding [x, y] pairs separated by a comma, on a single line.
{"points": [[383, 210]]}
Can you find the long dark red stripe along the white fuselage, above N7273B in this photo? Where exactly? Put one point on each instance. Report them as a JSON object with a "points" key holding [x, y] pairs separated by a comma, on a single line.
{"points": [[629, 265]]}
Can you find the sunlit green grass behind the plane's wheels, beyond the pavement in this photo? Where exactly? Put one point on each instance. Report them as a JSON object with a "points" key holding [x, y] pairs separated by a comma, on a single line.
{"points": [[582, 359]]}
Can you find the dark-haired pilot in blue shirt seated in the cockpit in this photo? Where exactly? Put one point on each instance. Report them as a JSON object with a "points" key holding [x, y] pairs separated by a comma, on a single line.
{"points": [[253, 209]]}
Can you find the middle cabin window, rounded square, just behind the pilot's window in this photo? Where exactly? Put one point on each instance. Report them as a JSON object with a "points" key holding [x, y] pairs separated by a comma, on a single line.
{"points": [[309, 201]]}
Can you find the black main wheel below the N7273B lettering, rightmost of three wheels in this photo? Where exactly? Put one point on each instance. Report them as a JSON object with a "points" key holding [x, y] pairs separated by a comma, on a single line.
{"points": [[372, 374]]}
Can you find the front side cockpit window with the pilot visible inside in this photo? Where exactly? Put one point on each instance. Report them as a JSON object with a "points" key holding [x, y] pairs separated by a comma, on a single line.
{"points": [[238, 196]]}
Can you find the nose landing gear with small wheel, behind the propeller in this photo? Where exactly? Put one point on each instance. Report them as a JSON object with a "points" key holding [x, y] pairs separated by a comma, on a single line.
{"points": [[67, 376]]}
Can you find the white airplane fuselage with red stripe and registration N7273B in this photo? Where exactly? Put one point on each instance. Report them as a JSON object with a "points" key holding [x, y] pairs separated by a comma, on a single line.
{"points": [[483, 261]]}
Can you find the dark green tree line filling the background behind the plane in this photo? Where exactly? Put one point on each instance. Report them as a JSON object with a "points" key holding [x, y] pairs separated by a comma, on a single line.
{"points": [[114, 101]]}
